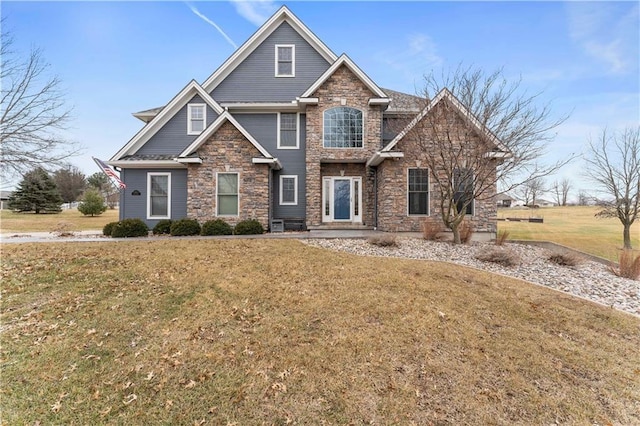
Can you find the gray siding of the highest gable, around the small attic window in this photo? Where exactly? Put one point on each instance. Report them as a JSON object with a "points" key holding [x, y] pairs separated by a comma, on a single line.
{"points": [[254, 79]]}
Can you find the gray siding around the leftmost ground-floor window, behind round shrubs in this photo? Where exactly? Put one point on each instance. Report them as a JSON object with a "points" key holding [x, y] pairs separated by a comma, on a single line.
{"points": [[135, 206]]}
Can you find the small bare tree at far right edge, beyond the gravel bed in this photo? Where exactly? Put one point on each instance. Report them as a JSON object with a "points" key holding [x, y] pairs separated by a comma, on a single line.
{"points": [[613, 164]]}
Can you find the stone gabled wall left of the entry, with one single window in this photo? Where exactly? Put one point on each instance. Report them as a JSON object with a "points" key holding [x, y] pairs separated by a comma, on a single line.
{"points": [[228, 151]]}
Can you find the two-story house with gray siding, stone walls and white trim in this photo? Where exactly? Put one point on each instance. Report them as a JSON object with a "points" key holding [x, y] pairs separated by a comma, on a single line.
{"points": [[285, 131]]}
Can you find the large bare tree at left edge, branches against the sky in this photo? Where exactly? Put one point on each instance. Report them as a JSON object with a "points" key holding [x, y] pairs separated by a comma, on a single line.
{"points": [[33, 113]]}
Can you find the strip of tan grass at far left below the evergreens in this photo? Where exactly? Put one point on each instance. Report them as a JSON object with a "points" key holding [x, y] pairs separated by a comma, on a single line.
{"points": [[30, 222]]}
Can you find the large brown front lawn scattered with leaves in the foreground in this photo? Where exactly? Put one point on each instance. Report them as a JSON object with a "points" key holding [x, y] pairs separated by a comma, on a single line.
{"points": [[242, 332]]}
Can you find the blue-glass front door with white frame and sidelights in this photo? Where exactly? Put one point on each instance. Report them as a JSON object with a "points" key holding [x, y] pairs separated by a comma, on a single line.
{"points": [[342, 199]]}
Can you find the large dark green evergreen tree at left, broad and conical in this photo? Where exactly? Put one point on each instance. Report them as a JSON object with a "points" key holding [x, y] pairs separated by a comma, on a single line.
{"points": [[36, 192]]}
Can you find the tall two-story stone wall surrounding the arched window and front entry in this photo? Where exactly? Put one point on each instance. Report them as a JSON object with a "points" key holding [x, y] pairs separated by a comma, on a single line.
{"points": [[343, 88]]}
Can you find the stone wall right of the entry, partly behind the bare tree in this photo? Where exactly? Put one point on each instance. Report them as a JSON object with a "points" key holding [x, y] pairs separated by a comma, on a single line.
{"points": [[393, 187]]}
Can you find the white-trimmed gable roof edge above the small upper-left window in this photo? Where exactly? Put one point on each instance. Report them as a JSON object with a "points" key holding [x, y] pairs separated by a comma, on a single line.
{"points": [[167, 112]]}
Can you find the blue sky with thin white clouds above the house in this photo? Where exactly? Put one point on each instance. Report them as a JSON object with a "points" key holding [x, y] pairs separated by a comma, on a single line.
{"points": [[115, 58]]}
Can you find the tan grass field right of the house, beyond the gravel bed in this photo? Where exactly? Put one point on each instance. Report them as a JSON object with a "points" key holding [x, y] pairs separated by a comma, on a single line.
{"points": [[574, 226]]}
